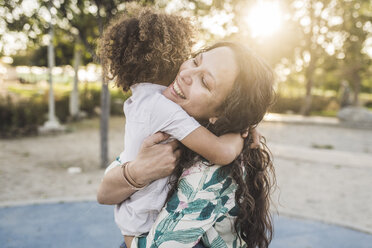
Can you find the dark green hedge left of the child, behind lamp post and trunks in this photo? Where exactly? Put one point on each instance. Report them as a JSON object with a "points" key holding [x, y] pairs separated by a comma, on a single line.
{"points": [[23, 116]]}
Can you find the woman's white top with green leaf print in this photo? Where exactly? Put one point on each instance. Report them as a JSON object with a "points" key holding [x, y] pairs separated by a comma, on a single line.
{"points": [[202, 208]]}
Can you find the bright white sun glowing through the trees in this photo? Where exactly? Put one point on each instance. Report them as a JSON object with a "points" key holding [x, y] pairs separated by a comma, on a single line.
{"points": [[264, 18]]}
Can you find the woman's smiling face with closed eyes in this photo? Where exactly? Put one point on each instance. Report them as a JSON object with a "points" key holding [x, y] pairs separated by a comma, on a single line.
{"points": [[203, 82]]}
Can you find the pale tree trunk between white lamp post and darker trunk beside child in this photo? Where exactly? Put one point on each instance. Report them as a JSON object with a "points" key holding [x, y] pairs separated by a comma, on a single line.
{"points": [[74, 97]]}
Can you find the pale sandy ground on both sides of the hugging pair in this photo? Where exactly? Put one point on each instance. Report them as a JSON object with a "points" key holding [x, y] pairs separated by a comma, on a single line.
{"points": [[324, 172]]}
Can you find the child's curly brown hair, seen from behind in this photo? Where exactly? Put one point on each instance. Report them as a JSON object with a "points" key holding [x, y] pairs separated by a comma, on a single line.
{"points": [[148, 46]]}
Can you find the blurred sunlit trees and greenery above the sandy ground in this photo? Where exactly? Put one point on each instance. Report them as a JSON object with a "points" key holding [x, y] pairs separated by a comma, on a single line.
{"points": [[321, 51]]}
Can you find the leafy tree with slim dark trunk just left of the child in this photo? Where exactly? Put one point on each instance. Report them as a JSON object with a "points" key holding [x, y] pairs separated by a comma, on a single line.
{"points": [[83, 20]]}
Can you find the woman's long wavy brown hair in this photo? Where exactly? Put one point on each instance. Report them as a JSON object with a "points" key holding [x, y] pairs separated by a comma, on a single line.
{"points": [[252, 170]]}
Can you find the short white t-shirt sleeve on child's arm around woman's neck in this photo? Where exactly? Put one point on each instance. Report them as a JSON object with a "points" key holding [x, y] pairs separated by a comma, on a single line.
{"points": [[167, 116]]}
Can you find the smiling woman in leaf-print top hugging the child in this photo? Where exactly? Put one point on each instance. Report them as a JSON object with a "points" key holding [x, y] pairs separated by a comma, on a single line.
{"points": [[239, 91]]}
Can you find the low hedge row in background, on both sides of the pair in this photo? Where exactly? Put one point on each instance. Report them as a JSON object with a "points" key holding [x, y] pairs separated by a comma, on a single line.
{"points": [[23, 116]]}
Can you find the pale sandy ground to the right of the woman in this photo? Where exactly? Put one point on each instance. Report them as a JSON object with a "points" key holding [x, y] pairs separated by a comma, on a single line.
{"points": [[329, 185]]}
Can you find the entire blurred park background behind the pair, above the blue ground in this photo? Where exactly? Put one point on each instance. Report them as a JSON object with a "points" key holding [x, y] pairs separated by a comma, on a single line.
{"points": [[319, 128]]}
